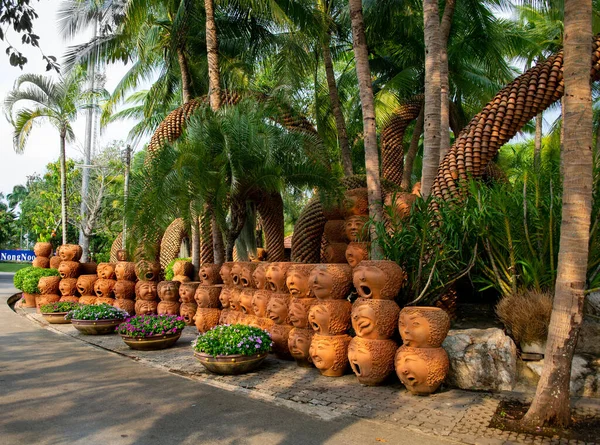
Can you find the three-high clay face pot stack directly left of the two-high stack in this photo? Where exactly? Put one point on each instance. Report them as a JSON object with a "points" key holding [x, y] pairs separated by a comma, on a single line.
{"points": [[374, 320]]}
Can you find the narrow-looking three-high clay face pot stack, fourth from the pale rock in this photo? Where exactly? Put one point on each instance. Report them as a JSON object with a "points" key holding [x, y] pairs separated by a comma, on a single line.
{"points": [[300, 337]]}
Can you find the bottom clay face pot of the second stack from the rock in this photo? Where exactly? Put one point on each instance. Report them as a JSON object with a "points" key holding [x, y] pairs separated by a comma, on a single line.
{"points": [[372, 360]]}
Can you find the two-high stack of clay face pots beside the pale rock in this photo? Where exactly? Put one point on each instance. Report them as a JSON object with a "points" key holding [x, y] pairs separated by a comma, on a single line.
{"points": [[421, 362]]}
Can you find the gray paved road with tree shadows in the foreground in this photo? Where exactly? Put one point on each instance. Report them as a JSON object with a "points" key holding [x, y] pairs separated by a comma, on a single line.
{"points": [[56, 390]]}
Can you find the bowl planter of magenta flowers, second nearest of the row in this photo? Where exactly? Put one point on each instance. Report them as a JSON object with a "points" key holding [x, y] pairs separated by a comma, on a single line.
{"points": [[150, 332]]}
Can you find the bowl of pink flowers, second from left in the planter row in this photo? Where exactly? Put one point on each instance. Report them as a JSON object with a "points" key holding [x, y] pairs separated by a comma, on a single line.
{"points": [[96, 319]]}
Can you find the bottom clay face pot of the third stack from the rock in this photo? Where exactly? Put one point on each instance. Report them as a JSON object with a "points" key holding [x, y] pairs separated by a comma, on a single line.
{"points": [[329, 353]]}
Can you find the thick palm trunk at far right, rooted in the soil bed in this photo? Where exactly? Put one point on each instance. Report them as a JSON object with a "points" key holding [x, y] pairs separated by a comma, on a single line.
{"points": [[551, 404]]}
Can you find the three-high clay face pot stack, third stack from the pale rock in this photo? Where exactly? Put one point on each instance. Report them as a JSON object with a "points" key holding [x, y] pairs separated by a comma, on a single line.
{"points": [[329, 317]]}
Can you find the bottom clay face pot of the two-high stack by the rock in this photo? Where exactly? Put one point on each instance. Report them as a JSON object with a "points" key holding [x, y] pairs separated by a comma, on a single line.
{"points": [[421, 370]]}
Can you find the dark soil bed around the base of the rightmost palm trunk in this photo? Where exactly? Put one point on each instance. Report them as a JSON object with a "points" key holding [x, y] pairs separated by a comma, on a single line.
{"points": [[509, 412]]}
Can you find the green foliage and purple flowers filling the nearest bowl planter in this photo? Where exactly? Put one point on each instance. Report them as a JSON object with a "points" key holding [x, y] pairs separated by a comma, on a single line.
{"points": [[233, 340]]}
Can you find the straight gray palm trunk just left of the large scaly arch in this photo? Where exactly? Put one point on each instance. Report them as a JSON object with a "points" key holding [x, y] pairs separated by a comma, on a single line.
{"points": [[431, 140]]}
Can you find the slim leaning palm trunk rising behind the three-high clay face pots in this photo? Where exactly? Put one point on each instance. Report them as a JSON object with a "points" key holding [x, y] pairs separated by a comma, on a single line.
{"points": [[363, 71]]}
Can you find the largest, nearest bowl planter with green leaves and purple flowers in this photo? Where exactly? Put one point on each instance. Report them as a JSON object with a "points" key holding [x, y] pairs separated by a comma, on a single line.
{"points": [[232, 349]]}
